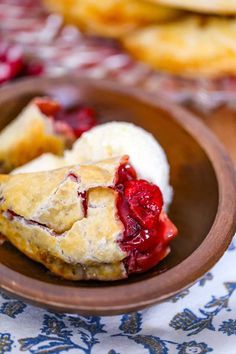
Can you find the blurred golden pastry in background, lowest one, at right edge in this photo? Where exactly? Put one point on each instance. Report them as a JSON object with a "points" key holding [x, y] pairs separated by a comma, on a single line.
{"points": [[193, 46]]}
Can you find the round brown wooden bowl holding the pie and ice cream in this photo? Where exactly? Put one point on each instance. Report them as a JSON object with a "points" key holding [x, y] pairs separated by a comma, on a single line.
{"points": [[204, 205]]}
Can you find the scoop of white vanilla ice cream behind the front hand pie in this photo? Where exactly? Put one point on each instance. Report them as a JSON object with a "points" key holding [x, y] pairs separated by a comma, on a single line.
{"points": [[121, 138]]}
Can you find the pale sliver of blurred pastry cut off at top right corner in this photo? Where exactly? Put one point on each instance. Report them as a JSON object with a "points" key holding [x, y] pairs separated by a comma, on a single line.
{"points": [[205, 6]]}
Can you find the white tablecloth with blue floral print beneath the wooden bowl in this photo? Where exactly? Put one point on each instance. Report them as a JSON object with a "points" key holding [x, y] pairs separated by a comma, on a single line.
{"points": [[199, 320]]}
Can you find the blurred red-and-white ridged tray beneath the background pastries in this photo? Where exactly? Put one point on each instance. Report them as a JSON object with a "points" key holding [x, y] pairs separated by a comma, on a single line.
{"points": [[62, 48]]}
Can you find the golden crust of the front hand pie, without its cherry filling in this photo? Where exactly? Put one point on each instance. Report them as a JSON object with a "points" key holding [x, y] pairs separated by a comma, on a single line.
{"points": [[43, 215]]}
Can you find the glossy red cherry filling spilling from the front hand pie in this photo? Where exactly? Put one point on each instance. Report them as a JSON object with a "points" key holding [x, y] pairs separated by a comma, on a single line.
{"points": [[148, 230]]}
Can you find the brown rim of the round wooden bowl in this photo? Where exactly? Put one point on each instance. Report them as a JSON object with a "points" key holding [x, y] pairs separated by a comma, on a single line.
{"points": [[131, 296]]}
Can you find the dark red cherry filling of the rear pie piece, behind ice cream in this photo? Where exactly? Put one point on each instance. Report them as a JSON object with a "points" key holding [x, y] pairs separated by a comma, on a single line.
{"points": [[72, 123]]}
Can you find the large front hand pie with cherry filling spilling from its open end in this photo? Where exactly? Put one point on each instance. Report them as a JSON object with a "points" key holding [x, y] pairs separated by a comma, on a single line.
{"points": [[86, 222]]}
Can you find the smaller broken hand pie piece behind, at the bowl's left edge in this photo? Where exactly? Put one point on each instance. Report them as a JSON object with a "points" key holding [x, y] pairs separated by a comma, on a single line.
{"points": [[32, 133]]}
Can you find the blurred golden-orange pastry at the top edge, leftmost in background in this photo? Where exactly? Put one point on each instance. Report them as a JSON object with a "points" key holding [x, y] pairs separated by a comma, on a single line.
{"points": [[111, 18]]}
